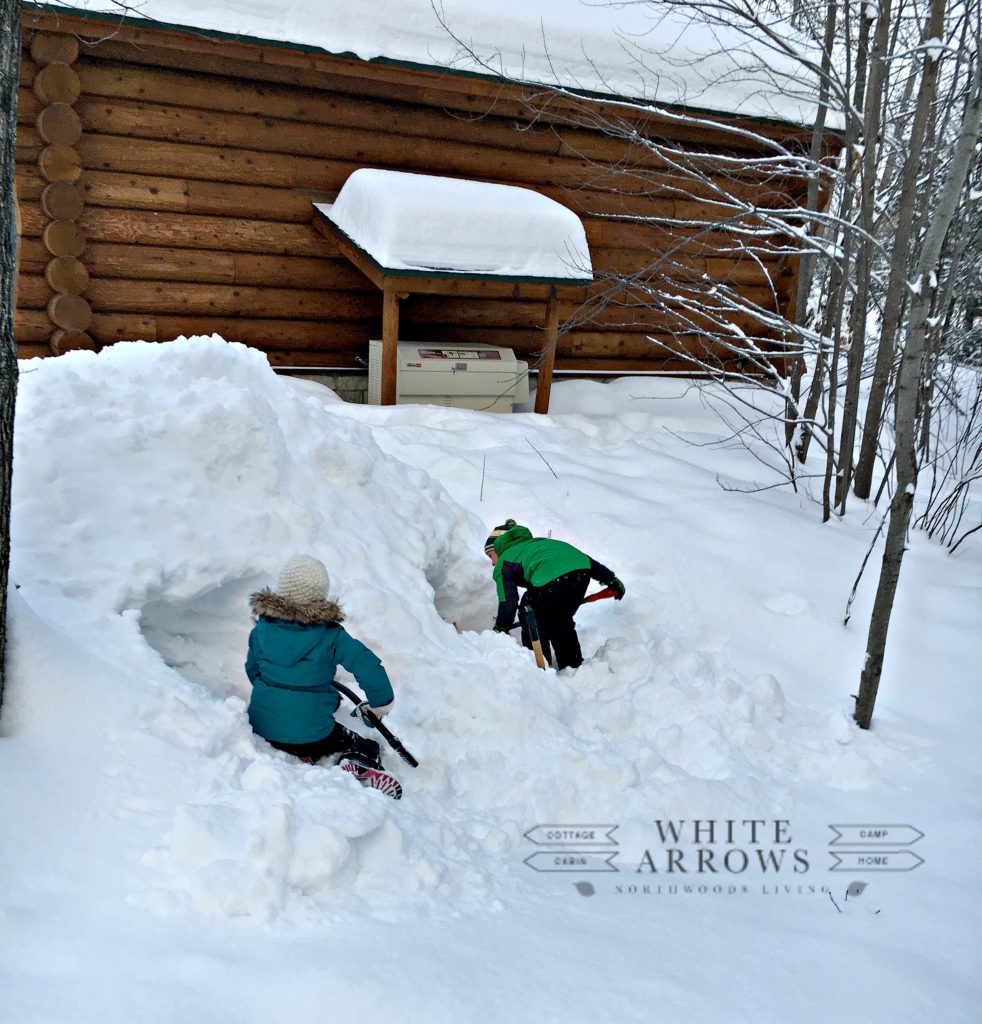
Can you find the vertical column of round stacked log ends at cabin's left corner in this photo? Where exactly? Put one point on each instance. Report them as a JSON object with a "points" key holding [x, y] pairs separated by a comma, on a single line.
{"points": [[58, 88]]}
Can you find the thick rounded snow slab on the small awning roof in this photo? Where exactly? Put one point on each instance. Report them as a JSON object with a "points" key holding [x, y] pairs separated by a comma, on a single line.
{"points": [[419, 223]]}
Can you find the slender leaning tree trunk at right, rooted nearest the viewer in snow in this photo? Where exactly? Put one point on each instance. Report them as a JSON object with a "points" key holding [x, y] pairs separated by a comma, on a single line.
{"points": [[909, 386]]}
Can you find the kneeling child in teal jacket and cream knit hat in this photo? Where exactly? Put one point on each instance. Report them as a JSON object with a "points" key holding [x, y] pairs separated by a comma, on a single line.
{"points": [[294, 652]]}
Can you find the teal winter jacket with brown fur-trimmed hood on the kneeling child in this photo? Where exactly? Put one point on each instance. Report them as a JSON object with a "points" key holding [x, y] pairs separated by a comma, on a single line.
{"points": [[294, 653]]}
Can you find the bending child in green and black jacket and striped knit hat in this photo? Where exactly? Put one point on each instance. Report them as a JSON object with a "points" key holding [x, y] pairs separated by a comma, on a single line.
{"points": [[556, 576]]}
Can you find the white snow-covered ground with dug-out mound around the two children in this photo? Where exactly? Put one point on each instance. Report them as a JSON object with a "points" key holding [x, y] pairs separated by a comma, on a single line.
{"points": [[162, 865]]}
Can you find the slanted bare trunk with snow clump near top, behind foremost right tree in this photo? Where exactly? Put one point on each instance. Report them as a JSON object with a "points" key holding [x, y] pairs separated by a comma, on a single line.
{"points": [[895, 302]]}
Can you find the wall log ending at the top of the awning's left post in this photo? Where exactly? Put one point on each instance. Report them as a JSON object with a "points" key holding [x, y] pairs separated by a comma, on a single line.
{"points": [[116, 295]]}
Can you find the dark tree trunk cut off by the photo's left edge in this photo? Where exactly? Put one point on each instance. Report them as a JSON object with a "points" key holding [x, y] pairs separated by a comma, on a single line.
{"points": [[10, 73]]}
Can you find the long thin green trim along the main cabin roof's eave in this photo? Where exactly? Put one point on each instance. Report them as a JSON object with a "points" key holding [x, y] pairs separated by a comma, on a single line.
{"points": [[217, 34]]}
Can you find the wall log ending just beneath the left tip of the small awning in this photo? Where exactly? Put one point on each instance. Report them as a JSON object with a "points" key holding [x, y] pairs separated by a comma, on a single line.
{"points": [[182, 231]]}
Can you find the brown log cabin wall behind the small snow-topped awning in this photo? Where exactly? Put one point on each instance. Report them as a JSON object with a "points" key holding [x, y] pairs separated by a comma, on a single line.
{"points": [[165, 185]]}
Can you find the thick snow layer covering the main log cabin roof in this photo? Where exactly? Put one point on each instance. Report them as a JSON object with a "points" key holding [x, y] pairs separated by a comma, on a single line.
{"points": [[643, 51]]}
